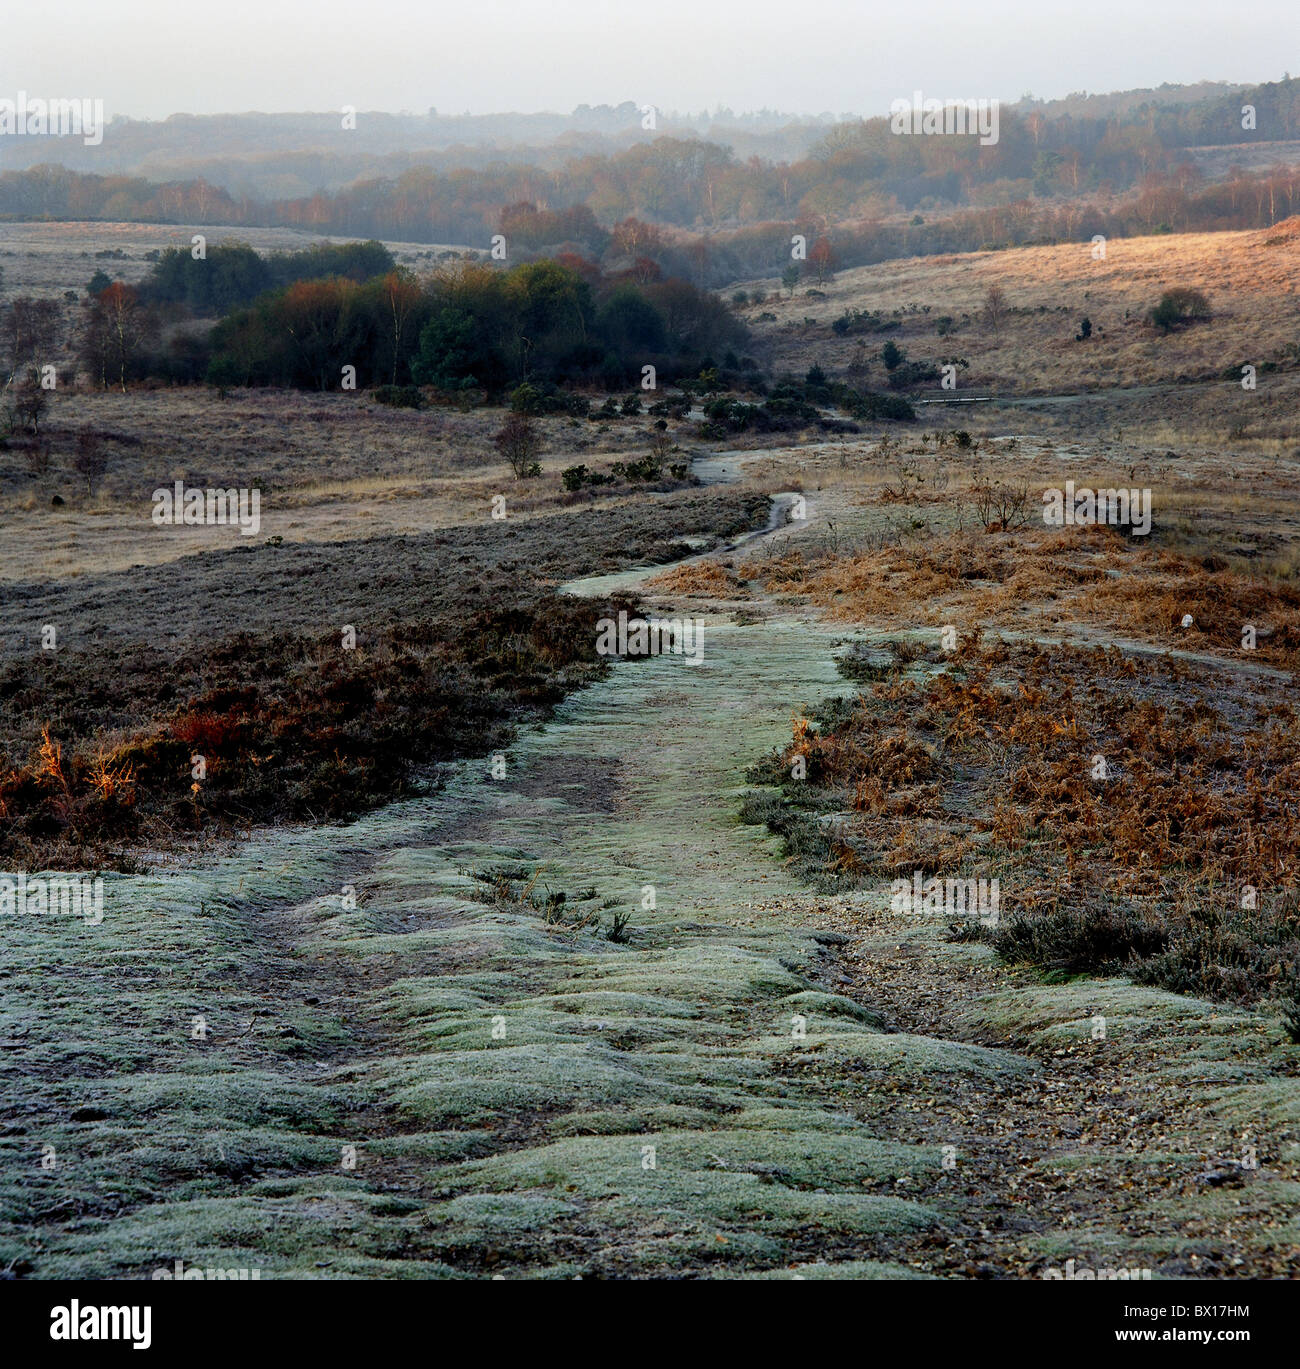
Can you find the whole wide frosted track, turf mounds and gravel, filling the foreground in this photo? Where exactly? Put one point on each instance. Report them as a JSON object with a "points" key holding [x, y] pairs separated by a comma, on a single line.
{"points": [[419, 1060]]}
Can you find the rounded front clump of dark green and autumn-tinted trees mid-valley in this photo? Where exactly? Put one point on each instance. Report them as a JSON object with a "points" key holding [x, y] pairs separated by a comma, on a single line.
{"points": [[476, 328]]}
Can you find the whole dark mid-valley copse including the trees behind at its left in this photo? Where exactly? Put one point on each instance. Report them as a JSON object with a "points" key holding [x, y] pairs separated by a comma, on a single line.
{"points": [[470, 327]]}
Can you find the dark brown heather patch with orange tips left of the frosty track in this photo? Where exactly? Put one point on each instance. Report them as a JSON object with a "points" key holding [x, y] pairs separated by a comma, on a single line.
{"points": [[285, 728]]}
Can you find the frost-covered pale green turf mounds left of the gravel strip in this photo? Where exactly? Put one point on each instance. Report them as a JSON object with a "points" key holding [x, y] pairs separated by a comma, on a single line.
{"points": [[476, 1155]]}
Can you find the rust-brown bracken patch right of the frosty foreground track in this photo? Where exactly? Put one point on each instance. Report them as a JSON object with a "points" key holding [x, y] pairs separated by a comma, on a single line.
{"points": [[1139, 811]]}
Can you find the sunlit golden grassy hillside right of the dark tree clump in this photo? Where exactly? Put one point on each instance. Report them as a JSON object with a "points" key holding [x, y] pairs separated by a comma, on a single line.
{"points": [[1250, 279]]}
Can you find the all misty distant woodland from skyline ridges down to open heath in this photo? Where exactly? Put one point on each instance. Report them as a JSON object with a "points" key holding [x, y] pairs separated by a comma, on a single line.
{"points": [[1117, 165]]}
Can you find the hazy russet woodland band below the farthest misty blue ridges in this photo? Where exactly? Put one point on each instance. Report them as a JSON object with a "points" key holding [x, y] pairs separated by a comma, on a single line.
{"points": [[859, 172]]}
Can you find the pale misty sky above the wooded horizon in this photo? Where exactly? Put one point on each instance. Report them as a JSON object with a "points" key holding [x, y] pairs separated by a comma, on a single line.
{"points": [[153, 58]]}
